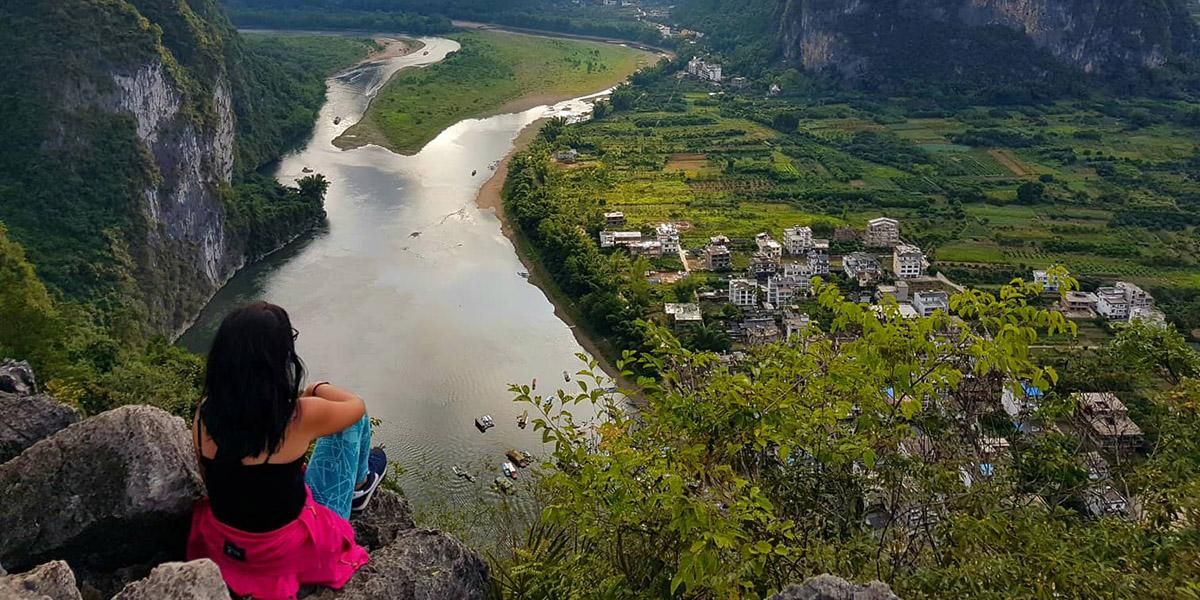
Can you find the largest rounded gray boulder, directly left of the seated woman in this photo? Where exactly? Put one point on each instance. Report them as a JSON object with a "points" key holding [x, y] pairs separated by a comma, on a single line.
{"points": [[112, 491]]}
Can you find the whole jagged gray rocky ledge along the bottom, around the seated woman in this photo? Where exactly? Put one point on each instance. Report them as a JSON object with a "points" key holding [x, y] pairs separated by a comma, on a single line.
{"points": [[99, 509]]}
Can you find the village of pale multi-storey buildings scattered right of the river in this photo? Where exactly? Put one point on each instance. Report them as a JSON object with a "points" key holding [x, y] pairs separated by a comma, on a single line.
{"points": [[764, 304]]}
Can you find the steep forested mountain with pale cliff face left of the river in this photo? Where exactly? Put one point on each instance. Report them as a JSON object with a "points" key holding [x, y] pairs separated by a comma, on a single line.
{"points": [[129, 135]]}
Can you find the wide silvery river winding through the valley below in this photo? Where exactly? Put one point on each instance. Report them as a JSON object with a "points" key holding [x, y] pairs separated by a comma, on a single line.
{"points": [[412, 296]]}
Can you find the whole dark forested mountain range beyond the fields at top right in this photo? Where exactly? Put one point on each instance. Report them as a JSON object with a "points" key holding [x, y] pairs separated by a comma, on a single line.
{"points": [[992, 43]]}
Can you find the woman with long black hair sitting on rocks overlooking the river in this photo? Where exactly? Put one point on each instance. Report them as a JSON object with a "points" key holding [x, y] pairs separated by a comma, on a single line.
{"points": [[271, 523]]}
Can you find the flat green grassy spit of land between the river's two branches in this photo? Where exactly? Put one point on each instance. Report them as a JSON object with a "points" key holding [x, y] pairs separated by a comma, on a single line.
{"points": [[493, 74]]}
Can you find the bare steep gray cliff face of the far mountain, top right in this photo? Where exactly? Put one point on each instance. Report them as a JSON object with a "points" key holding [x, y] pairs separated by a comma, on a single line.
{"points": [[1096, 37]]}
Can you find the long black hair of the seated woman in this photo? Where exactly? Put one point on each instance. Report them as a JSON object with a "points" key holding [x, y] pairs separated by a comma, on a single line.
{"points": [[253, 382]]}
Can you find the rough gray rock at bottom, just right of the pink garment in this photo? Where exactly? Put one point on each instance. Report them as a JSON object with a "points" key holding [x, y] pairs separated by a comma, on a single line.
{"points": [[419, 565]]}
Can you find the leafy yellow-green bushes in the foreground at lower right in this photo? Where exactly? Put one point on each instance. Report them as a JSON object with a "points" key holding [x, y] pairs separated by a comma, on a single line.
{"points": [[849, 452]]}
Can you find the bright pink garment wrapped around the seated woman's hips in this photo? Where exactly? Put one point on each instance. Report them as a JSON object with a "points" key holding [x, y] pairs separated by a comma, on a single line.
{"points": [[317, 549]]}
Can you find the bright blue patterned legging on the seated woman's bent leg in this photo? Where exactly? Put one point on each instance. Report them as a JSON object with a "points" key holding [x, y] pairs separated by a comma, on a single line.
{"points": [[338, 465]]}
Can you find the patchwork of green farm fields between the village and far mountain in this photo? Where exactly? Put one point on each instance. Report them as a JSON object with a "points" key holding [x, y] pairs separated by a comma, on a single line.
{"points": [[1111, 191]]}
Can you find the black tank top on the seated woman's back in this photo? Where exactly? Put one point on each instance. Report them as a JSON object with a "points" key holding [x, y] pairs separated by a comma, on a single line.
{"points": [[255, 499]]}
